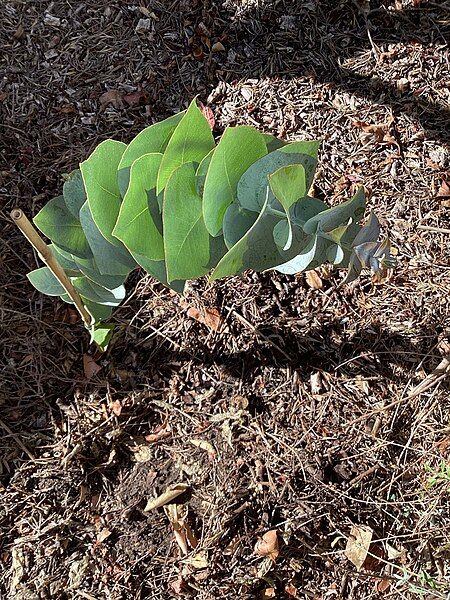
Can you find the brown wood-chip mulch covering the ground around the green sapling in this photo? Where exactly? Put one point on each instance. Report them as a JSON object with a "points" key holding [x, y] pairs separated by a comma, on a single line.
{"points": [[296, 416]]}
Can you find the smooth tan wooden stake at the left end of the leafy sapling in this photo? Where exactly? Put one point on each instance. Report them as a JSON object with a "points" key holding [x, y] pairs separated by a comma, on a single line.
{"points": [[49, 260]]}
